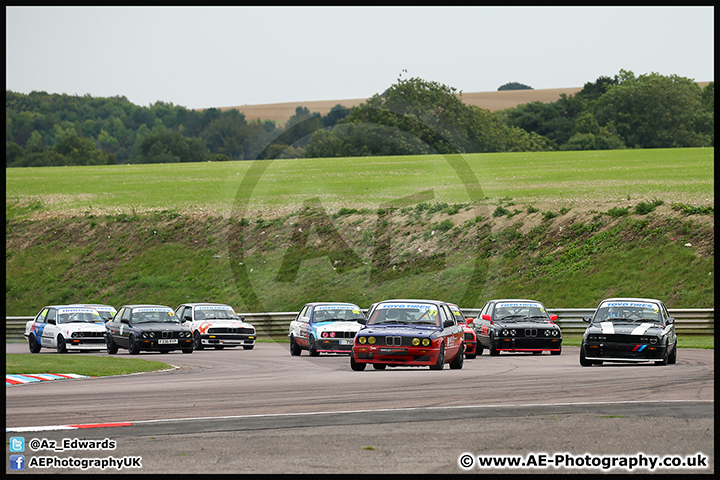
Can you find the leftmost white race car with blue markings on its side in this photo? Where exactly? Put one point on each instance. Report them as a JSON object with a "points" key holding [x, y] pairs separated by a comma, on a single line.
{"points": [[64, 328]]}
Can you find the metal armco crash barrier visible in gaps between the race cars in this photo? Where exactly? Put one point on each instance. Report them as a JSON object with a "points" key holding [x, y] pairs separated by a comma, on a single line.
{"points": [[698, 321]]}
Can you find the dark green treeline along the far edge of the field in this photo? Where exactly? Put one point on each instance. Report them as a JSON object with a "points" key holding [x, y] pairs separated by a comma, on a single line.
{"points": [[413, 116]]}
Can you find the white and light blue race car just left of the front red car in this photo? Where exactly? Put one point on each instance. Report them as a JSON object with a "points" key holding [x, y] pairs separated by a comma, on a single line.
{"points": [[325, 327]]}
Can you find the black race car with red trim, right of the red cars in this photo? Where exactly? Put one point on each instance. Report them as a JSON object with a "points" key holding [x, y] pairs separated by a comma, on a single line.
{"points": [[517, 325]]}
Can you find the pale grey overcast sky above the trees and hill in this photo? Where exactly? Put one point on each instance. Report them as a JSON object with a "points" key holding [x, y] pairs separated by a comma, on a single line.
{"points": [[200, 57]]}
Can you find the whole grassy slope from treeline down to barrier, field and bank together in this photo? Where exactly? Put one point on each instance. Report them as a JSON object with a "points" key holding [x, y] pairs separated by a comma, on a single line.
{"points": [[566, 228]]}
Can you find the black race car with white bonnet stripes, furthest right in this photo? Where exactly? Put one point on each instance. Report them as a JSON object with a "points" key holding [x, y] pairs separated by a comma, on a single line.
{"points": [[629, 330]]}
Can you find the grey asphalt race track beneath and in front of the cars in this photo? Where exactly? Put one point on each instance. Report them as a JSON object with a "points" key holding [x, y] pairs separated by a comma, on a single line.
{"points": [[263, 411]]}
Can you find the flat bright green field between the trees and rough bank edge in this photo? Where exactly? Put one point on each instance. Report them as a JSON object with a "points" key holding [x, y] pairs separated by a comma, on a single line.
{"points": [[279, 186]]}
